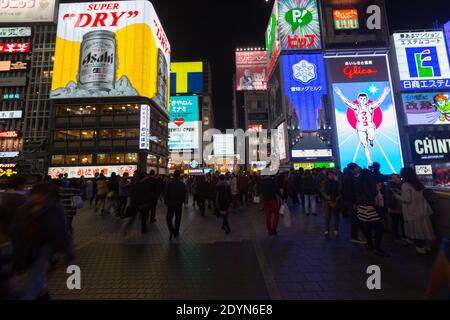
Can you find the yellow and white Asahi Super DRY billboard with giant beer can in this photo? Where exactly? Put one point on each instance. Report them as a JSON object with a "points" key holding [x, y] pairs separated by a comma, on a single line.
{"points": [[111, 49]]}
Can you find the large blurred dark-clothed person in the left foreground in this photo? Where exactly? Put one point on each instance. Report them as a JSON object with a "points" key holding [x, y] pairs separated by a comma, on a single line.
{"points": [[38, 232]]}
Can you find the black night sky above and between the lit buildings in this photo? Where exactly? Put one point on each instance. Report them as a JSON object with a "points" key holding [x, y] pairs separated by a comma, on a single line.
{"points": [[212, 29]]}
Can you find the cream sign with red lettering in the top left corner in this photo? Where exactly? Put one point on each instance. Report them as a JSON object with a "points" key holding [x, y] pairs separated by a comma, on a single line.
{"points": [[27, 11]]}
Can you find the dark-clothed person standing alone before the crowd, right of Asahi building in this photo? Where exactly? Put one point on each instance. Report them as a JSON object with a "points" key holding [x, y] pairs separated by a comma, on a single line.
{"points": [[175, 195]]}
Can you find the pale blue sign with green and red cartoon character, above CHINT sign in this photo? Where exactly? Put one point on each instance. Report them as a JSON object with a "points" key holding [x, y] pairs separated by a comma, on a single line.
{"points": [[427, 108]]}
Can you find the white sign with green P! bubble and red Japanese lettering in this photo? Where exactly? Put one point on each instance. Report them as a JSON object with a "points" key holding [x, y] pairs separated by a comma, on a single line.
{"points": [[299, 25]]}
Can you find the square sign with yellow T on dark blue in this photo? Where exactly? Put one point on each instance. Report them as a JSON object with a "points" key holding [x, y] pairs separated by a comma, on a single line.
{"points": [[186, 78]]}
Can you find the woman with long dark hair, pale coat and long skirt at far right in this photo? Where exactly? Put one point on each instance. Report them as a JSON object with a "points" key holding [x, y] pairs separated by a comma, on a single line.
{"points": [[416, 211]]}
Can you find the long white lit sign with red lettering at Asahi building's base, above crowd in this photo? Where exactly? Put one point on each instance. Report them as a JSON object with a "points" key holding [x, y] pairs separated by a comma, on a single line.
{"points": [[89, 172]]}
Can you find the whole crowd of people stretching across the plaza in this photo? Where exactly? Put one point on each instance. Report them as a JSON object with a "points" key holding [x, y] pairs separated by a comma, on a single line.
{"points": [[36, 225]]}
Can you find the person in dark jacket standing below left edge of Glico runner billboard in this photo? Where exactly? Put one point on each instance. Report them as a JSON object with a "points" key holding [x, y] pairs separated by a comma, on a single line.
{"points": [[331, 195]]}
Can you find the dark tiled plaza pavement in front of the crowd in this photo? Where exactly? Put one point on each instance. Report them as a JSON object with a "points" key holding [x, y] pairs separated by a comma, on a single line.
{"points": [[206, 264]]}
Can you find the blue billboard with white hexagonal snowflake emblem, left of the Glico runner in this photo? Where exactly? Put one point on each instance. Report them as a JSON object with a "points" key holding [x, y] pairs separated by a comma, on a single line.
{"points": [[305, 83]]}
